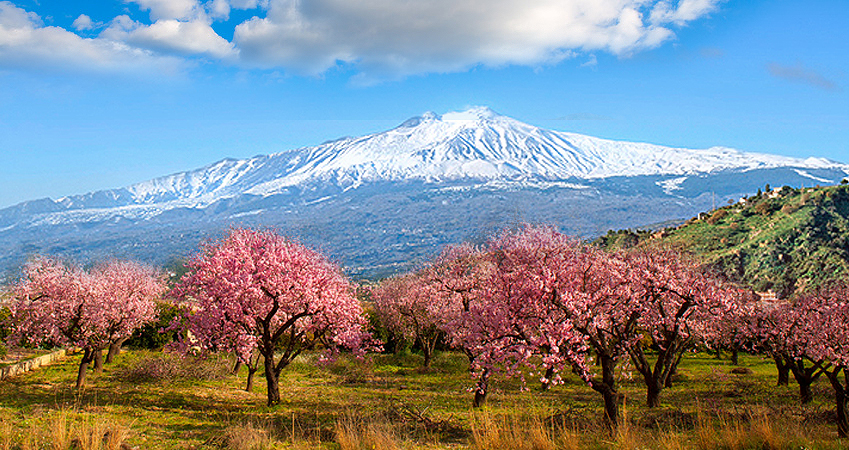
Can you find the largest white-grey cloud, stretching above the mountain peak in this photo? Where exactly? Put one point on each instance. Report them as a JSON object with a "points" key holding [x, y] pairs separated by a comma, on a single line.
{"points": [[402, 38]]}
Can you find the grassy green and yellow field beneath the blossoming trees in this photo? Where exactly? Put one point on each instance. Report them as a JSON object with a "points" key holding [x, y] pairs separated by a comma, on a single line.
{"points": [[150, 400]]}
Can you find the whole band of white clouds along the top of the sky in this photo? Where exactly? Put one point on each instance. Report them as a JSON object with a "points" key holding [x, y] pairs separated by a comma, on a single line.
{"points": [[377, 38]]}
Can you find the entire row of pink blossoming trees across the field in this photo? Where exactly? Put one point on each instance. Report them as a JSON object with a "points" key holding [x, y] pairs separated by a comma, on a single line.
{"points": [[529, 301]]}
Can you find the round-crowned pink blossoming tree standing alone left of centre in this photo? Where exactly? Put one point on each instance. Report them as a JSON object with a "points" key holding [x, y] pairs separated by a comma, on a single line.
{"points": [[257, 289]]}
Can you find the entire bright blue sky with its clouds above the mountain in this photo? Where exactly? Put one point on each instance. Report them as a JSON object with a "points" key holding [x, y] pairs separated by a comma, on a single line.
{"points": [[102, 94]]}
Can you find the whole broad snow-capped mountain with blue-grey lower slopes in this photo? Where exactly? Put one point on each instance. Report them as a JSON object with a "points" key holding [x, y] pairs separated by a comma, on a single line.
{"points": [[381, 202]]}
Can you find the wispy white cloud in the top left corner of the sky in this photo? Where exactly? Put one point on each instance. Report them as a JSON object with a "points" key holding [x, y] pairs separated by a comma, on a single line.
{"points": [[26, 43]]}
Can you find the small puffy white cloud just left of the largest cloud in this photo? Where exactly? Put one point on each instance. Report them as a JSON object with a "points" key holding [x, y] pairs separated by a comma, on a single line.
{"points": [[171, 36]]}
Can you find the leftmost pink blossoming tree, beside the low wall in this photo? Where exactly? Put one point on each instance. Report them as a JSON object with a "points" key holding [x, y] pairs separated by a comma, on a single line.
{"points": [[61, 305]]}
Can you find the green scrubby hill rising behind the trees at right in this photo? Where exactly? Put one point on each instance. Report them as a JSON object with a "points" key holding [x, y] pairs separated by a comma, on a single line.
{"points": [[786, 240]]}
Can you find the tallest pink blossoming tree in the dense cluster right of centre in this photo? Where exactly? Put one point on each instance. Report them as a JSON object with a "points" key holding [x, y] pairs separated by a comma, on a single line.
{"points": [[561, 304]]}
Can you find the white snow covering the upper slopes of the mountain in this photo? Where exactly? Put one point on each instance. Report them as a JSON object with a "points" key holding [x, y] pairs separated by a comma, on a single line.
{"points": [[477, 144]]}
